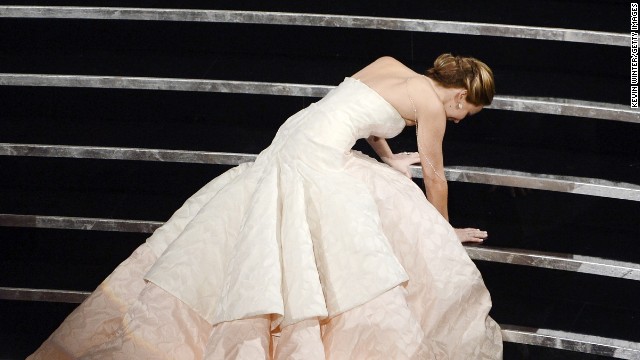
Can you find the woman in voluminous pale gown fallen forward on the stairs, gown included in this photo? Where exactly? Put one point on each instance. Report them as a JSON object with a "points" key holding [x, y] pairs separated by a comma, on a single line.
{"points": [[313, 251]]}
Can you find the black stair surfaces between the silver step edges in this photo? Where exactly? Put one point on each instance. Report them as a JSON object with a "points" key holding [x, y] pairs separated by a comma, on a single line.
{"points": [[538, 220]]}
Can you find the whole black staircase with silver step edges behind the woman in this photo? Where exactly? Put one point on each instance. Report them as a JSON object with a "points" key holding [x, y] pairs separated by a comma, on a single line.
{"points": [[111, 115]]}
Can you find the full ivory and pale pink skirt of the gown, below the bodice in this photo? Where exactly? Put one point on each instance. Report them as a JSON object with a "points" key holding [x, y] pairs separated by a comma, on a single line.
{"points": [[281, 262]]}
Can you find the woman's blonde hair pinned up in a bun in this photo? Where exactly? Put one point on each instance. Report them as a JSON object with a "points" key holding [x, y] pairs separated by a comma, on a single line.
{"points": [[465, 73]]}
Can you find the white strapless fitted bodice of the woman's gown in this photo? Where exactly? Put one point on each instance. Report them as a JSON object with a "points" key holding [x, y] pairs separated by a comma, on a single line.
{"points": [[349, 112]]}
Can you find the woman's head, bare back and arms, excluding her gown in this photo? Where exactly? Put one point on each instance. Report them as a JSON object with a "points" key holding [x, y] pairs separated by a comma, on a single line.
{"points": [[443, 96]]}
